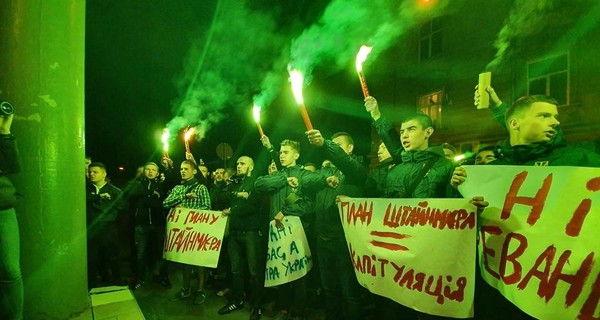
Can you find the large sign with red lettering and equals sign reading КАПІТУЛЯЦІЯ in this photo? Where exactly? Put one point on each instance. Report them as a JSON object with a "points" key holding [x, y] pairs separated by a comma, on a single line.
{"points": [[417, 252]]}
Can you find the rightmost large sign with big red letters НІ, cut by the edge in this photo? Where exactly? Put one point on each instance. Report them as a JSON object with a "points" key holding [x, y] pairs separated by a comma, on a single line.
{"points": [[539, 237]]}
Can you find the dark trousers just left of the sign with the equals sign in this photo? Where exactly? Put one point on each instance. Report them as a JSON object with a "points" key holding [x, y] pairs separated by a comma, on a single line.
{"points": [[341, 289]]}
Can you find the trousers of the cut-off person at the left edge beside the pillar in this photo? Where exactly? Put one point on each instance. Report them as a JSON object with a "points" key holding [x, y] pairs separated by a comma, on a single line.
{"points": [[11, 283]]}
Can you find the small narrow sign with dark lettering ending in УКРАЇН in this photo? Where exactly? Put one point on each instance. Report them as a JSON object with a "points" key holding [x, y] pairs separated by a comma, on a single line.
{"points": [[288, 256]]}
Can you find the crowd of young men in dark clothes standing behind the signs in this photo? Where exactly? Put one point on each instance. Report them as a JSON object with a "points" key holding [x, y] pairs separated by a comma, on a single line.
{"points": [[255, 193]]}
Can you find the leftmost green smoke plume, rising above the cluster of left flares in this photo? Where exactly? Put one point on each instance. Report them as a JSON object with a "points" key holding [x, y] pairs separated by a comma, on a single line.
{"points": [[224, 66]]}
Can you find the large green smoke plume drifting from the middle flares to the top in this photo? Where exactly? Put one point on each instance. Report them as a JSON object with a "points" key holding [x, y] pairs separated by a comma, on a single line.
{"points": [[333, 41]]}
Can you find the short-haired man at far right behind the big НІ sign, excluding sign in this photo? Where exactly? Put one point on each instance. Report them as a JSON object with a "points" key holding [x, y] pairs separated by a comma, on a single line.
{"points": [[534, 140]]}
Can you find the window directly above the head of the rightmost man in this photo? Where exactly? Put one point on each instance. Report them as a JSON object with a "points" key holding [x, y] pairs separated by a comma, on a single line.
{"points": [[550, 76]]}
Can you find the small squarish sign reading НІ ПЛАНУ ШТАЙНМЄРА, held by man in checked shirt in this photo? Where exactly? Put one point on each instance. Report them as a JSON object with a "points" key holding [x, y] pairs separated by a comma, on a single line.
{"points": [[194, 236]]}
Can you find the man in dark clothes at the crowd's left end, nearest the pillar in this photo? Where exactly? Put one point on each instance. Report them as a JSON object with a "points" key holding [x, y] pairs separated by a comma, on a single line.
{"points": [[104, 202]]}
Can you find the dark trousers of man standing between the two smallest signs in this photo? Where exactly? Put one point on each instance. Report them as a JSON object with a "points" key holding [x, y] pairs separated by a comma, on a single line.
{"points": [[245, 253]]}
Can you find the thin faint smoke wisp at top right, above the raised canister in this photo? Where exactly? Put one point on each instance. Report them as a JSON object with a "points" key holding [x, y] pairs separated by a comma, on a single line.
{"points": [[524, 19]]}
